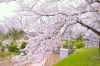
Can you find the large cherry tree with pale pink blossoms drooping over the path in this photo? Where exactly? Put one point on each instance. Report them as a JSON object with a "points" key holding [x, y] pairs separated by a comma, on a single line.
{"points": [[51, 19]]}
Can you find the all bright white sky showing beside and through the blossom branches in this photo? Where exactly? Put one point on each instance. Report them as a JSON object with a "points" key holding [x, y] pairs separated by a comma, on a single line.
{"points": [[6, 9]]}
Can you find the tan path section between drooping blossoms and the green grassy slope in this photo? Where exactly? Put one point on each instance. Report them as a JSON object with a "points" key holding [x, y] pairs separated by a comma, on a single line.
{"points": [[52, 59]]}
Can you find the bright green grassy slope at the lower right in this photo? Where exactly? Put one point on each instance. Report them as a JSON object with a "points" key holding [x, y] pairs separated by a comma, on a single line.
{"points": [[82, 57]]}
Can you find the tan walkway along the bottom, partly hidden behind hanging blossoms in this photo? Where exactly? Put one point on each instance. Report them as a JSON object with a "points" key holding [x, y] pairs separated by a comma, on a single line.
{"points": [[52, 59]]}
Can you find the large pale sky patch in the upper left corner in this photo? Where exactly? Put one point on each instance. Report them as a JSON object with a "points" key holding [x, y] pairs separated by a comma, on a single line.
{"points": [[6, 9]]}
